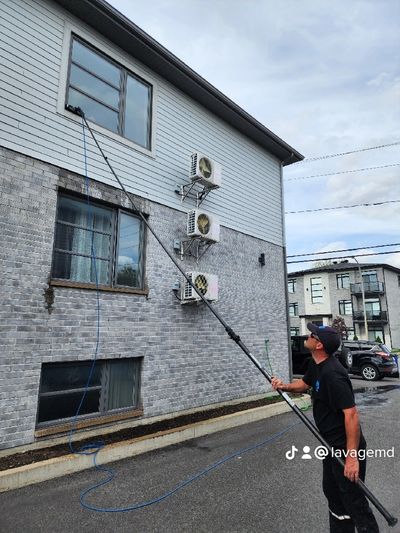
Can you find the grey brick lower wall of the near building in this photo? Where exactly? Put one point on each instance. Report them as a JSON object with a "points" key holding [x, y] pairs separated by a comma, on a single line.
{"points": [[189, 360]]}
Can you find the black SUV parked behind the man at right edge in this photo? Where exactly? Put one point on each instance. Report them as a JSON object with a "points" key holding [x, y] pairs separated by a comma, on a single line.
{"points": [[371, 360]]}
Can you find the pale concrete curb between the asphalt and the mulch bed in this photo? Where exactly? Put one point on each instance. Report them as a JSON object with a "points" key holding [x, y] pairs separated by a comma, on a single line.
{"points": [[59, 466]]}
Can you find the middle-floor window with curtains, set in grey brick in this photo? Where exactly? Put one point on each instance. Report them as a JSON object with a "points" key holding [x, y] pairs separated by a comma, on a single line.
{"points": [[115, 238]]}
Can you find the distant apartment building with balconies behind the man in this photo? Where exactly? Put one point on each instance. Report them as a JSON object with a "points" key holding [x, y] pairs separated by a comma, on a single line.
{"points": [[321, 294]]}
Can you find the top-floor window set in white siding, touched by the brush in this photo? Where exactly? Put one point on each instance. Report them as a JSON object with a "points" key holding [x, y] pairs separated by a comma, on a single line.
{"points": [[108, 94]]}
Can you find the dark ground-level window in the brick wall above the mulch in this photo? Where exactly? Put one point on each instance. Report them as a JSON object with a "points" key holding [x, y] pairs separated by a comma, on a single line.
{"points": [[114, 384]]}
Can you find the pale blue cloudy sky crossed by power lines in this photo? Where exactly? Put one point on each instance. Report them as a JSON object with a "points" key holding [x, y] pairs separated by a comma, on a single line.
{"points": [[324, 76]]}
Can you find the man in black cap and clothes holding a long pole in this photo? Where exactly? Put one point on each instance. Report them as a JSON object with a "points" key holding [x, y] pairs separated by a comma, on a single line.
{"points": [[336, 417]]}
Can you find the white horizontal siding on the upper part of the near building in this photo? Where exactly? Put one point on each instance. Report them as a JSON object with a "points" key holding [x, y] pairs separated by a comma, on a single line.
{"points": [[34, 123]]}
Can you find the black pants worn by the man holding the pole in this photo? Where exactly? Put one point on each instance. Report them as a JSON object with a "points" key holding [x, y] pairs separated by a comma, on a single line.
{"points": [[348, 506]]}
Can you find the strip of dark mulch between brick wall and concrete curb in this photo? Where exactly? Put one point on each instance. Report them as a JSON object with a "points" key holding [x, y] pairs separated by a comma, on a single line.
{"points": [[35, 456]]}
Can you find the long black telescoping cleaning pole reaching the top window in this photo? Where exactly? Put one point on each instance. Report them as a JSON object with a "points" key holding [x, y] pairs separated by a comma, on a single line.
{"points": [[391, 520]]}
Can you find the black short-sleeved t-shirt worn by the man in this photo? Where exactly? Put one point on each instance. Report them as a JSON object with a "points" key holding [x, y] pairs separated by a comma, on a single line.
{"points": [[332, 392]]}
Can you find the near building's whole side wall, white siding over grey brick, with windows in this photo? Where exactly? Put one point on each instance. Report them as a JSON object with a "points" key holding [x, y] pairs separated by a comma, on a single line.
{"points": [[82, 277]]}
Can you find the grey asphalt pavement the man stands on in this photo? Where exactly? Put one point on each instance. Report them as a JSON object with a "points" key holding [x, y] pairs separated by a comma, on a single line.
{"points": [[257, 491]]}
